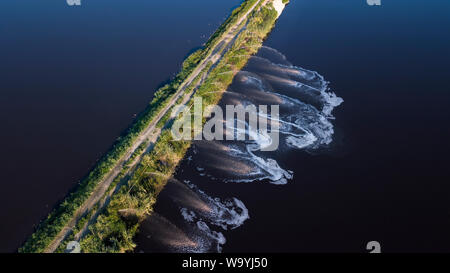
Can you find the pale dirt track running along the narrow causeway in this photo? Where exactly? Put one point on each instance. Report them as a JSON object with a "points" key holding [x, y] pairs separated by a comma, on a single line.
{"points": [[151, 133]]}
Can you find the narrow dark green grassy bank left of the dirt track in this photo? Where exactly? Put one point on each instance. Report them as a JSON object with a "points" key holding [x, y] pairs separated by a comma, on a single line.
{"points": [[49, 228]]}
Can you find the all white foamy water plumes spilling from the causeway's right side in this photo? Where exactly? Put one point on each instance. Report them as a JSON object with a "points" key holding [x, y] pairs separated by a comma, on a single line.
{"points": [[304, 123]]}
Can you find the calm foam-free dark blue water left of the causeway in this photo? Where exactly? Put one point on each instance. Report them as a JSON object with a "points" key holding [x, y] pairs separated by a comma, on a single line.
{"points": [[71, 80]]}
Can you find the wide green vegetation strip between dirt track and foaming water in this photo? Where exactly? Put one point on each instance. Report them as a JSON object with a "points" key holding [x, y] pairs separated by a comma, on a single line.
{"points": [[117, 225]]}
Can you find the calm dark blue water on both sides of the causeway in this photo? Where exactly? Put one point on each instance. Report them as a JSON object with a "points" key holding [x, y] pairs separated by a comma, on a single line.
{"points": [[71, 79]]}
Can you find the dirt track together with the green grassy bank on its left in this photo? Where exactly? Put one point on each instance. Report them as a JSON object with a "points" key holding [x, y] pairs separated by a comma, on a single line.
{"points": [[80, 203]]}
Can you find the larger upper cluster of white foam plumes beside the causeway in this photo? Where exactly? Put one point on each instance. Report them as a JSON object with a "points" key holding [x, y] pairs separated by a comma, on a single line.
{"points": [[306, 105]]}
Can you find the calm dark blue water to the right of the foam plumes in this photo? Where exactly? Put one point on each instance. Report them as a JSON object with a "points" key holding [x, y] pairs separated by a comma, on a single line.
{"points": [[388, 181]]}
